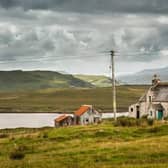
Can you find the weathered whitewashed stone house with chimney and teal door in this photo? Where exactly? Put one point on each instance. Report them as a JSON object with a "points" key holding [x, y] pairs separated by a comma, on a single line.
{"points": [[154, 103]]}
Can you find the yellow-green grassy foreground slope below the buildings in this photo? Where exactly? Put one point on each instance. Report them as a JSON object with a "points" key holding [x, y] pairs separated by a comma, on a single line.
{"points": [[96, 146]]}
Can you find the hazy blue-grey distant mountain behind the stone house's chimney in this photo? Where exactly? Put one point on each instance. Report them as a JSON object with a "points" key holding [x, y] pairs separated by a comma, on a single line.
{"points": [[145, 76]]}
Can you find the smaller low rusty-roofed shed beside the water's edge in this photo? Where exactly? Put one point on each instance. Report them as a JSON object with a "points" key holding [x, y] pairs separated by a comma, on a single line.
{"points": [[63, 120]]}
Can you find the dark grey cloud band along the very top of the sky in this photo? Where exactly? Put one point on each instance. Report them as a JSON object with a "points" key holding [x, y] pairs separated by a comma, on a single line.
{"points": [[92, 6]]}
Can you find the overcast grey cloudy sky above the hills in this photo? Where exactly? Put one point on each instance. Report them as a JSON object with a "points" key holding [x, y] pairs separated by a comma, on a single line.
{"points": [[73, 35]]}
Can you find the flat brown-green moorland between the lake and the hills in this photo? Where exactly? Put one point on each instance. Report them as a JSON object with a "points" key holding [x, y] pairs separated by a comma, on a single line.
{"points": [[68, 100]]}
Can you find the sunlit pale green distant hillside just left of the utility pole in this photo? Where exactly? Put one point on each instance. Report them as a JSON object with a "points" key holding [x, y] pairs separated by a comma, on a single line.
{"points": [[98, 81]]}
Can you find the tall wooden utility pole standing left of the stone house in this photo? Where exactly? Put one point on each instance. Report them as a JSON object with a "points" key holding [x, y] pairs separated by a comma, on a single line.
{"points": [[113, 84]]}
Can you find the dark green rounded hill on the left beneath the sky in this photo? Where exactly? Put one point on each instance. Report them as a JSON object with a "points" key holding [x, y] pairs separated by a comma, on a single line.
{"points": [[30, 80]]}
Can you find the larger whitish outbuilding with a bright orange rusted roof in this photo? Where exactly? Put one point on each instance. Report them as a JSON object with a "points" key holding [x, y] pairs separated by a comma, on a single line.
{"points": [[86, 114]]}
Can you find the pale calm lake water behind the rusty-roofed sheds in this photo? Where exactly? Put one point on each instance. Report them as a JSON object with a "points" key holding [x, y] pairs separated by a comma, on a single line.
{"points": [[36, 120]]}
